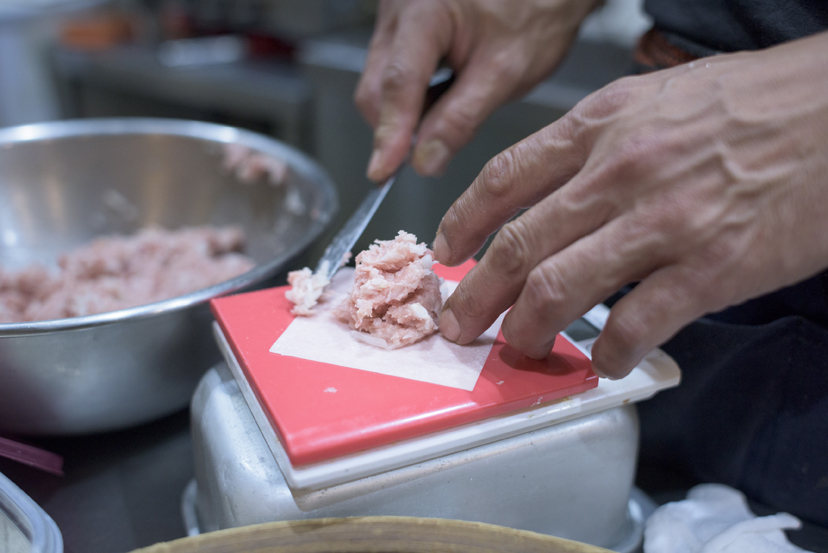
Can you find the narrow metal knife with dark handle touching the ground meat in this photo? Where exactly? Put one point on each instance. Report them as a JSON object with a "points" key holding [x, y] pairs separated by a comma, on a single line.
{"points": [[334, 256]]}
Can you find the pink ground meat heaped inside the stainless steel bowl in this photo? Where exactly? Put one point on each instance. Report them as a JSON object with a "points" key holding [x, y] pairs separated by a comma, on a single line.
{"points": [[118, 272]]}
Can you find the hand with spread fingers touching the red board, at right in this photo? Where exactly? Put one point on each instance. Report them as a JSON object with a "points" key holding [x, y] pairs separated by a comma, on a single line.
{"points": [[708, 183]]}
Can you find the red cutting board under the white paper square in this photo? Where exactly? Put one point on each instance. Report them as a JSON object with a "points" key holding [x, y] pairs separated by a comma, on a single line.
{"points": [[370, 409]]}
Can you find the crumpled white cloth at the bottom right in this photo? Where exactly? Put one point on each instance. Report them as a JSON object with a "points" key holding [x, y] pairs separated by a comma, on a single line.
{"points": [[716, 519]]}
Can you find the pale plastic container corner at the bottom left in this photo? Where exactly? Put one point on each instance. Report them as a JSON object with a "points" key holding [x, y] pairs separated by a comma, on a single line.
{"points": [[24, 526]]}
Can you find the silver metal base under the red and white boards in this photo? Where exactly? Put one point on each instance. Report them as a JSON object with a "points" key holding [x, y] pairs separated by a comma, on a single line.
{"points": [[571, 480]]}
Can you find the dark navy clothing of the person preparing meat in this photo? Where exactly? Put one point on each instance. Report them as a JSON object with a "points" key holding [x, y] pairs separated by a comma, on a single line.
{"points": [[752, 409]]}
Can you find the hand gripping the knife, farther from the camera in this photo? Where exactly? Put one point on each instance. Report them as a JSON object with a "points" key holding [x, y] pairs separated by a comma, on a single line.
{"points": [[498, 49]]}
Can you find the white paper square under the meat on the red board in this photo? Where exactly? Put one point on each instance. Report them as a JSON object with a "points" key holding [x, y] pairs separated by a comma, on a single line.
{"points": [[436, 360]]}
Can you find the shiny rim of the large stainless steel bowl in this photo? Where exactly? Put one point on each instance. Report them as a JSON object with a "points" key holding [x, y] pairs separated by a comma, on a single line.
{"points": [[200, 130]]}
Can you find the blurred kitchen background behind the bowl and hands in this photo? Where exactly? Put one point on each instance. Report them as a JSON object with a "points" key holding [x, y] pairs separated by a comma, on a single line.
{"points": [[286, 68]]}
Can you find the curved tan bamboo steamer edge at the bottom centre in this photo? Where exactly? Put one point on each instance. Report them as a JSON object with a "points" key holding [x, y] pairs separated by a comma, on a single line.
{"points": [[372, 535]]}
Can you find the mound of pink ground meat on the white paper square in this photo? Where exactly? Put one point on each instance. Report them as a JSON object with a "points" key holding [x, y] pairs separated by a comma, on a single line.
{"points": [[396, 296]]}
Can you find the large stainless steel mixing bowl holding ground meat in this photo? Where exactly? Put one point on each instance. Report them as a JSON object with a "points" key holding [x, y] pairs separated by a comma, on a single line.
{"points": [[63, 183]]}
